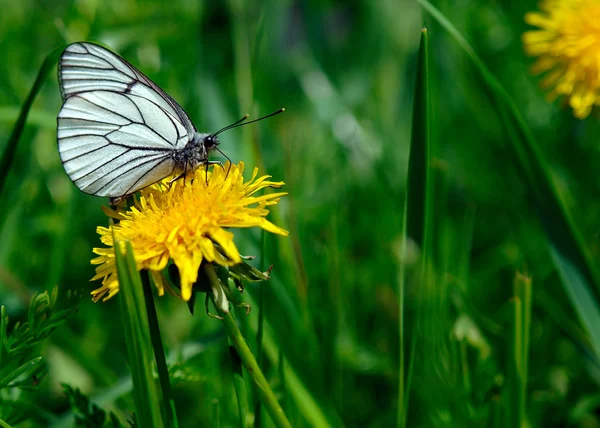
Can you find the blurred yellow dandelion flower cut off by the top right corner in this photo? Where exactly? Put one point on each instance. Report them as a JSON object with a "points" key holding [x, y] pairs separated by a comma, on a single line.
{"points": [[567, 45]]}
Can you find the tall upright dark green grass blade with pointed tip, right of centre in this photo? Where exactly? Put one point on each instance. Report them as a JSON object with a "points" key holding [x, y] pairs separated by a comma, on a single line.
{"points": [[417, 208]]}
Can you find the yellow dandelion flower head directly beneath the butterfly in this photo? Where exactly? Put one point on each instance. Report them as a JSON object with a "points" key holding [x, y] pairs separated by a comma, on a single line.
{"points": [[186, 222]]}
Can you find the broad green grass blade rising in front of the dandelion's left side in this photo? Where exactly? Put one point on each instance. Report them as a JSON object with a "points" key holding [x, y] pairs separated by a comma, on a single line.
{"points": [[137, 336]]}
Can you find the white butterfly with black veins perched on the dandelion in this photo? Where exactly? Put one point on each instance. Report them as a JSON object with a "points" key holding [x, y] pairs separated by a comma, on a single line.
{"points": [[118, 131]]}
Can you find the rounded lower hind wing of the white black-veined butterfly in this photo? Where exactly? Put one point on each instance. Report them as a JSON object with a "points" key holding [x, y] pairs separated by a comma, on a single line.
{"points": [[108, 147]]}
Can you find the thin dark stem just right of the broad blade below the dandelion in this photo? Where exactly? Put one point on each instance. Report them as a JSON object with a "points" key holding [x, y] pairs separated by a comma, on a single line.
{"points": [[159, 352]]}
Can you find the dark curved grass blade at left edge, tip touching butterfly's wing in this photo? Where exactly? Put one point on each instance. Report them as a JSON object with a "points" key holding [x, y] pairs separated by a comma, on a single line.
{"points": [[9, 151]]}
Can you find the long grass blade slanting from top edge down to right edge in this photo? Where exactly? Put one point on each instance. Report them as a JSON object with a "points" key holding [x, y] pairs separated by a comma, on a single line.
{"points": [[578, 274]]}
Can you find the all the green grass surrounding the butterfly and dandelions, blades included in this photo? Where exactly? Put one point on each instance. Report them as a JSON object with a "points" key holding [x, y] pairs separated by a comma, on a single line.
{"points": [[356, 325]]}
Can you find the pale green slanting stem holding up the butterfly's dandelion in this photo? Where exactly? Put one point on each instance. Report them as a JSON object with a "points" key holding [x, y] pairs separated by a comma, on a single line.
{"points": [[248, 360]]}
